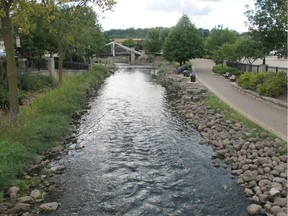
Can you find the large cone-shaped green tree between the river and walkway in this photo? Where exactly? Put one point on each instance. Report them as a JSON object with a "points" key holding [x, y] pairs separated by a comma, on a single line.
{"points": [[183, 42]]}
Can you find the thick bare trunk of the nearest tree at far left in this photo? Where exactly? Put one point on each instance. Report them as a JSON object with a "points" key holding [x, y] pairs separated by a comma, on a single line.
{"points": [[11, 67]]}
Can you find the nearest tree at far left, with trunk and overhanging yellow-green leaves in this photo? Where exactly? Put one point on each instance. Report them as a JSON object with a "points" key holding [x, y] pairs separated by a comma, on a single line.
{"points": [[14, 12]]}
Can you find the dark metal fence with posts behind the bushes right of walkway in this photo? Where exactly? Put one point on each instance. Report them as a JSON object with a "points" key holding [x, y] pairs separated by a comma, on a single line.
{"points": [[256, 68]]}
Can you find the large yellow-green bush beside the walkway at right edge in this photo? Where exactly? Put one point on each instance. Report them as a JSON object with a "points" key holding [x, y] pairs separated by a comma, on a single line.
{"points": [[267, 83]]}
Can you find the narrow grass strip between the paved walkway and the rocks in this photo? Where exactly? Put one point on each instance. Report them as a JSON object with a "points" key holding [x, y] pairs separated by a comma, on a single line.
{"points": [[230, 114]]}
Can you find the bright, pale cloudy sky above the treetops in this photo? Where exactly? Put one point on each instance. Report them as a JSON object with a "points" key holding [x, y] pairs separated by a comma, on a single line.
{"points": [[204, 14]]}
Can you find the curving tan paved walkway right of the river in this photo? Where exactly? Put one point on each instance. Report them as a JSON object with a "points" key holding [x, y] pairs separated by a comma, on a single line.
{"points": [[269, 116]]}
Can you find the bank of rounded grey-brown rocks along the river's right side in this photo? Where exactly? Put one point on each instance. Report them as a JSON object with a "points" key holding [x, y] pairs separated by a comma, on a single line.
{"points": [[254, 160]]}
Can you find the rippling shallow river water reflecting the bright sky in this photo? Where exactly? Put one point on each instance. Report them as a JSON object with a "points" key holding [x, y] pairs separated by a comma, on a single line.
{"points": [[141, 159]]}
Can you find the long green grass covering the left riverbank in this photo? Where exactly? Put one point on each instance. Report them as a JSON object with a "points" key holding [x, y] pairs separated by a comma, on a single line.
{"points": [[43, 124]]}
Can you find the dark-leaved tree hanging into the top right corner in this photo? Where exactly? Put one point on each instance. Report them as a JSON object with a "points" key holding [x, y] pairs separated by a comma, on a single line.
{"points": [[268, 24]]}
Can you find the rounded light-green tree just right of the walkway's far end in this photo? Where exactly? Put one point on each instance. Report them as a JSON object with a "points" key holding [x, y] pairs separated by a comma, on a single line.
{"points": [[218, 37]]}
